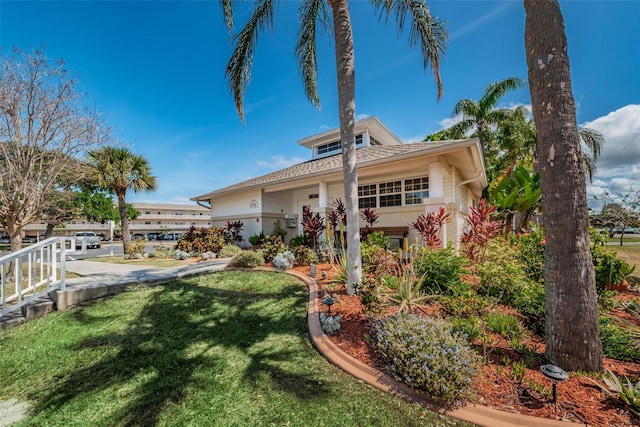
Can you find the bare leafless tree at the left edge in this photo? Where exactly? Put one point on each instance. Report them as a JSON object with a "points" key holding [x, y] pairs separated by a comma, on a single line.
{"points": [[43, 127]]}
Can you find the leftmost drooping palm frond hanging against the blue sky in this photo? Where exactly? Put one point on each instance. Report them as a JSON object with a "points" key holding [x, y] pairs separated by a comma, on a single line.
{"points": [[238, 70]]}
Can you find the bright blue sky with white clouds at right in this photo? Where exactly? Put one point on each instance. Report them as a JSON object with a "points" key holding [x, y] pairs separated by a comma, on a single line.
{"points": [[155, 69]]}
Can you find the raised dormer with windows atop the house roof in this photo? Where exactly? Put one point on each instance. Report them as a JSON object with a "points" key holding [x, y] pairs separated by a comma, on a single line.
{"points": [[369, 131]]}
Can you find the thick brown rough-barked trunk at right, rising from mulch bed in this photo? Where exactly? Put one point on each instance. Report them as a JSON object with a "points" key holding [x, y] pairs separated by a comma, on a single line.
{"points": [[571, 332]]}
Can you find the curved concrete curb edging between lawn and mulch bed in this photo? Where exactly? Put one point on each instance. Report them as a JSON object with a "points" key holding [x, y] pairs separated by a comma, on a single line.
{"points": [[477, 414]]}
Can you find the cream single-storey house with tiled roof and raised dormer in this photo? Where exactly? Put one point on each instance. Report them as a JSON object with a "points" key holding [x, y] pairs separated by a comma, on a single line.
{"points": [[400, 181]]}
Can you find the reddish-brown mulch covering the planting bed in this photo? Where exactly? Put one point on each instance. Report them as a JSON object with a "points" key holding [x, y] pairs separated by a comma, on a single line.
{"points": [[578, 400]]}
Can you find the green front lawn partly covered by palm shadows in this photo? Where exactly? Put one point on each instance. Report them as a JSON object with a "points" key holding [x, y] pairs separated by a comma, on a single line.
{"points": [[226, 349]]}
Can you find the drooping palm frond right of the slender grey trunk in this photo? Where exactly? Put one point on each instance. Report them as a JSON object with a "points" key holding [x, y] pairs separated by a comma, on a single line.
{"points": [[426, 31]]}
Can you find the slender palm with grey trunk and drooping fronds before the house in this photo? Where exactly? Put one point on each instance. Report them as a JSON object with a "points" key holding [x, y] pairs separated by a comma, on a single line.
{"points": [[426, 32]]}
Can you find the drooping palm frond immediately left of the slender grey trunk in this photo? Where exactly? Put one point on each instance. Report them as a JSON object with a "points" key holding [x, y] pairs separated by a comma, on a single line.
{"points": [[310, 13]]}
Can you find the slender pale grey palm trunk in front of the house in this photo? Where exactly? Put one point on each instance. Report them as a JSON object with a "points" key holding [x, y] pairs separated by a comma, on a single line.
{"points": [[345, 66]]}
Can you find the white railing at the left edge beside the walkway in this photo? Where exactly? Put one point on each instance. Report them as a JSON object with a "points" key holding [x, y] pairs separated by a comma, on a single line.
{"points": [[32, 272]]}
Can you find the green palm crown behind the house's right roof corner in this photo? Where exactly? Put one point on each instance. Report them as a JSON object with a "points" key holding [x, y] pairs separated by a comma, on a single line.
{"points": [[482, 115]]}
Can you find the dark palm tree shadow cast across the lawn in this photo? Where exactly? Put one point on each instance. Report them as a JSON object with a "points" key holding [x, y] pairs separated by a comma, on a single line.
{"points": [[156, 351]]}
